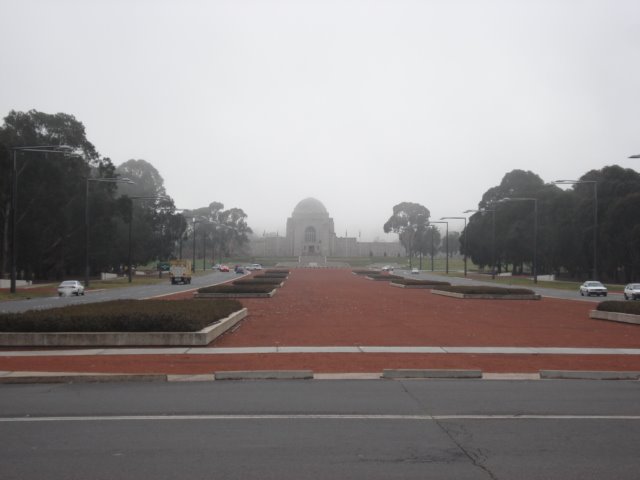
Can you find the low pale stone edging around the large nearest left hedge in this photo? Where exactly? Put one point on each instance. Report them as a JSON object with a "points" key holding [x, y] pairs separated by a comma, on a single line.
{"points": [[123, 339]]}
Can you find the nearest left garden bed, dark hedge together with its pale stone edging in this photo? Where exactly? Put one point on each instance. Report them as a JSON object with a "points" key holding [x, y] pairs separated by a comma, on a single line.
{"points": [[122, 323]]}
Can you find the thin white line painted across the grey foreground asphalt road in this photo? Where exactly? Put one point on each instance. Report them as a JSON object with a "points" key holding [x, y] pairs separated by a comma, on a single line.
{"points": [[127, 418]]}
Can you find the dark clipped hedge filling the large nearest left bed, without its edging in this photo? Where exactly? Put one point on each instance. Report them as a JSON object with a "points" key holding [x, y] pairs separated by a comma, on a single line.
{"points": [[122, 316]]}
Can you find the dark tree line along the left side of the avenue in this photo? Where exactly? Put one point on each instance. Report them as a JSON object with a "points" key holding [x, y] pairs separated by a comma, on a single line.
{"points": [[55, 190]]}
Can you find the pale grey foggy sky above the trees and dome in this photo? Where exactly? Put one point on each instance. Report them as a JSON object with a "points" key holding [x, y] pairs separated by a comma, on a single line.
{"points": [[361, 104]]}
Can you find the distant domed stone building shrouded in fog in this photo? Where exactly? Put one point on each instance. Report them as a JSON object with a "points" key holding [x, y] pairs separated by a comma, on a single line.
{"points": [[310, 232]]}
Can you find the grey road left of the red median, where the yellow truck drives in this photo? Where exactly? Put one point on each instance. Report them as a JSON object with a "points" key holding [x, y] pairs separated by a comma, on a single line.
{"points": [[135, 292]]}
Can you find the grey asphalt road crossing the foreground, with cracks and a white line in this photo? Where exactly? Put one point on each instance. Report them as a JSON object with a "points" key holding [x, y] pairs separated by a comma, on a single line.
{"points": [[322, 429]]}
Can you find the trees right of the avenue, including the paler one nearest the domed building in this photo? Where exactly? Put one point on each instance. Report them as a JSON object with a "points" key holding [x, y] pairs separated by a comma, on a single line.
{"points": [[590, 229]]}
